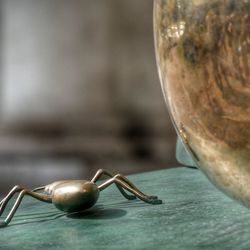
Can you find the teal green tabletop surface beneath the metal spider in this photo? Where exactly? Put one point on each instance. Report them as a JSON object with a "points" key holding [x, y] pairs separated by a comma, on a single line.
{"points": [[195, 215]]}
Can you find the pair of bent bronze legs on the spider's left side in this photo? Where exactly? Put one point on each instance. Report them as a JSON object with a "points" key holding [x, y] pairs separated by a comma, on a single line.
{"points": [[41, 197]]}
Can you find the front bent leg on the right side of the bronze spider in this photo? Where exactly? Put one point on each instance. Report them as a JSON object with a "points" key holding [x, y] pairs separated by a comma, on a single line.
{"points": [[116, 179]]}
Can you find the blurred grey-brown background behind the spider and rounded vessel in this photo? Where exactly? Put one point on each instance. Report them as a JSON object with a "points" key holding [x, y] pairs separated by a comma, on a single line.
{"points": [[79, 91]]}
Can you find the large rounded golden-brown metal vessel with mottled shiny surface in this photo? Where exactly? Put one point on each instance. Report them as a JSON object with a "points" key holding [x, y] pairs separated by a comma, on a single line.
{"points": [[203, 54]]}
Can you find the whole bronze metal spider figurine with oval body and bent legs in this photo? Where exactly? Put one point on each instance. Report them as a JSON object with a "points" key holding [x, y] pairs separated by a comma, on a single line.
{"points": [[74, 195]]}
